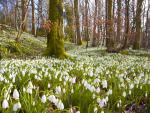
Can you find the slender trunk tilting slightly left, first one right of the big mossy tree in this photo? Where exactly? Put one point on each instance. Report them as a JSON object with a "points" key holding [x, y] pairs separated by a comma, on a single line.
{"points": [[76, 11]]}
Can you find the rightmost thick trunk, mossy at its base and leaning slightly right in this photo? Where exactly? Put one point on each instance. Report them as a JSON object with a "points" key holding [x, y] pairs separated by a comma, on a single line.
{"points": [[137, 40]]}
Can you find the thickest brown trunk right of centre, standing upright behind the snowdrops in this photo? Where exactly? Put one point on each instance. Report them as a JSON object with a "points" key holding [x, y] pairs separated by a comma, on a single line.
{"points": [[109, 39]]}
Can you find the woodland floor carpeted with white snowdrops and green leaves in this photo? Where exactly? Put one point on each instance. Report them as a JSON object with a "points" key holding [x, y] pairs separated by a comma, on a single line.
{"points": [[91, 81]]}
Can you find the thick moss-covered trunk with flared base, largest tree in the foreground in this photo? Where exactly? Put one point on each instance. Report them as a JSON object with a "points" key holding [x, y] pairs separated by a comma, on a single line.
{"points": [[55, 38]]}
